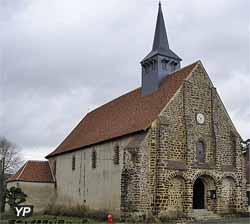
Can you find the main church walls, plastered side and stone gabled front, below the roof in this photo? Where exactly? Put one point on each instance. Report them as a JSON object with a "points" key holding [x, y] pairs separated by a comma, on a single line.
{"points": [[156, 176]]}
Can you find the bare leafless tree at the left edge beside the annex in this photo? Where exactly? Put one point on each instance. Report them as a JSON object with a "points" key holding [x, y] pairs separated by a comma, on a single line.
{"points": [[10, 161]]}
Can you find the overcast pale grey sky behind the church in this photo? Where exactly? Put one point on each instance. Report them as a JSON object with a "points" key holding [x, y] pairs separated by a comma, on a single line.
{"points": [[60, 58]]}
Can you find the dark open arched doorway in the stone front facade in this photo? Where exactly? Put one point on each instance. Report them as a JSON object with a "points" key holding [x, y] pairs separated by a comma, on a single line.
{"points": [[199, 194]]}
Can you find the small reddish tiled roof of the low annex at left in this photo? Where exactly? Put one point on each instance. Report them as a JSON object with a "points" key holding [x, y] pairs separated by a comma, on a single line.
{"points": [[34, 171]]}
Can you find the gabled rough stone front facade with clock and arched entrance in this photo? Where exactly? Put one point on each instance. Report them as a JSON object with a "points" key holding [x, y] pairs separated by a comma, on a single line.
{"points": [[173, 163]]}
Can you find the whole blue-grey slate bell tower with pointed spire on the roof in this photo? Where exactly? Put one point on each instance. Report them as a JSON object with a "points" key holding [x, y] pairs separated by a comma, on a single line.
{"points": [[161, 60]]}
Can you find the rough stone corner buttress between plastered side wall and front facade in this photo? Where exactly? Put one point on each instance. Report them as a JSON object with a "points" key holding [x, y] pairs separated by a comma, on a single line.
{"points": [[136, 196]]}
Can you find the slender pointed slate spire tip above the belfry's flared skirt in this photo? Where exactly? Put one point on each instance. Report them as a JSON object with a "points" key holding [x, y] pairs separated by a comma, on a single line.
{"points": [[160, 38]]}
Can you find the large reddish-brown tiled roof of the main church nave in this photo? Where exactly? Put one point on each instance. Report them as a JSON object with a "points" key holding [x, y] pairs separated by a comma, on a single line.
{"points": [[124, 115]]}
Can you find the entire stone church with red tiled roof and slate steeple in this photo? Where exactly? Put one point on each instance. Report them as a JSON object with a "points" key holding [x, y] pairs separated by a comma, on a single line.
{"points": [[168, 148]]}
